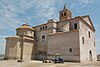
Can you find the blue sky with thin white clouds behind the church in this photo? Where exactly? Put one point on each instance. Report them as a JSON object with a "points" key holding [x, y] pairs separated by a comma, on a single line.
{"points": [[13, 13]]}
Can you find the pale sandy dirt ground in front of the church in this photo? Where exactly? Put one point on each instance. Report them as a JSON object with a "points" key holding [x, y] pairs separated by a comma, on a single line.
{"points": [[12, 63]]}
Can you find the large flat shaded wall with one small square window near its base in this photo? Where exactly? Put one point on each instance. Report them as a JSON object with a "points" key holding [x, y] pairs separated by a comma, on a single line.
{"points": [[66, 44]]}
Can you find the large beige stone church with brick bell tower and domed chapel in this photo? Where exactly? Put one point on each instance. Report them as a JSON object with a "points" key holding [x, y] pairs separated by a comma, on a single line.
{"points": [[71, 38]]}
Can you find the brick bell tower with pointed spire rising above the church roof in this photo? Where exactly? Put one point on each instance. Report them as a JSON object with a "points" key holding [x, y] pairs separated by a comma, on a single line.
{"points": [[65, 14]]}
